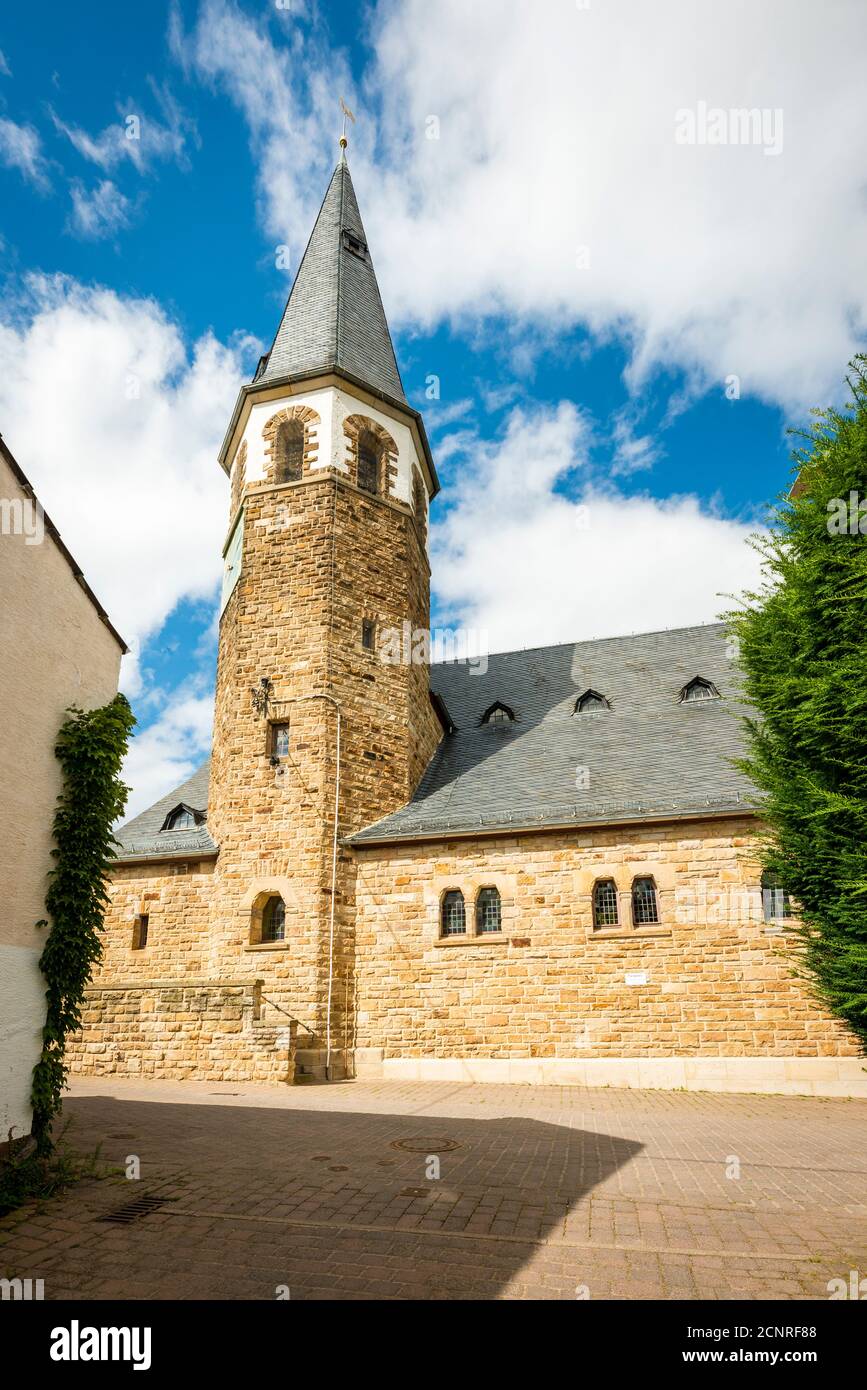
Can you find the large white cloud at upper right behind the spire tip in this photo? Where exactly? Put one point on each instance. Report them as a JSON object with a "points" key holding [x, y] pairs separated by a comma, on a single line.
{"points": [[556, 133]]}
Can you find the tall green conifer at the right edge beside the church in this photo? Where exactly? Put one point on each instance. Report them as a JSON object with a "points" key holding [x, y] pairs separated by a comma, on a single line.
{"points": [[804, 654]]}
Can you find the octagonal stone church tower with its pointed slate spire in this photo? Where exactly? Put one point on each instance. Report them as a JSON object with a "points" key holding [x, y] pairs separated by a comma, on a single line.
{"points": [[316, 735]]}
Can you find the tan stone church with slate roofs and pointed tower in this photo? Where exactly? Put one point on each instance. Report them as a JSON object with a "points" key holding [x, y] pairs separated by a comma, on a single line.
{"points": [[538, 868]]}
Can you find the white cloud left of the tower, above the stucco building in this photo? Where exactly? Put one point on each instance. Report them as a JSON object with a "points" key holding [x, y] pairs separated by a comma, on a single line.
{"points": [[117, 422]]}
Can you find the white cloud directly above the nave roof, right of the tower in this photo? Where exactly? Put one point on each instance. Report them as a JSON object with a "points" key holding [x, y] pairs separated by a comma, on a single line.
{"points": [[516, 558]]}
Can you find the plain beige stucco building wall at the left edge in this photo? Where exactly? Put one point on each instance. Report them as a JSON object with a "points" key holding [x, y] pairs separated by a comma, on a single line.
{"points": [[56, 650]]}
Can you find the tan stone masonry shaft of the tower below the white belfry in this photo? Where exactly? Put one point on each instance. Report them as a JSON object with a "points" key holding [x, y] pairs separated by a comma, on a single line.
{"points": [[320, 555]]}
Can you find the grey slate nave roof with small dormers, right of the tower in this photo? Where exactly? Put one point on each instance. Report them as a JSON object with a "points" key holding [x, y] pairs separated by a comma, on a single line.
{"points": [[650, 757]]}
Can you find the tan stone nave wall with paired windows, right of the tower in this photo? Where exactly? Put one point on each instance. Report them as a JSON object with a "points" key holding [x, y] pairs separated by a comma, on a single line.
{"points": [[719, 979]]}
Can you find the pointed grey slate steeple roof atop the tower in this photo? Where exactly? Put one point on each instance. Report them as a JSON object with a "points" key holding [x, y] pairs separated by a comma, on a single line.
{"points": [[334, 319]]}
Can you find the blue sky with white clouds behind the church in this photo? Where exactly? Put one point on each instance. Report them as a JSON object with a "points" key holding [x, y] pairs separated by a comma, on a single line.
{"points": [[584, 287]]}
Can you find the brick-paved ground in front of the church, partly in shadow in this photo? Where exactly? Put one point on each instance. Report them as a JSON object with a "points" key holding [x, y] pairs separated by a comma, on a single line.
{"points": [[543, 1191]]}
